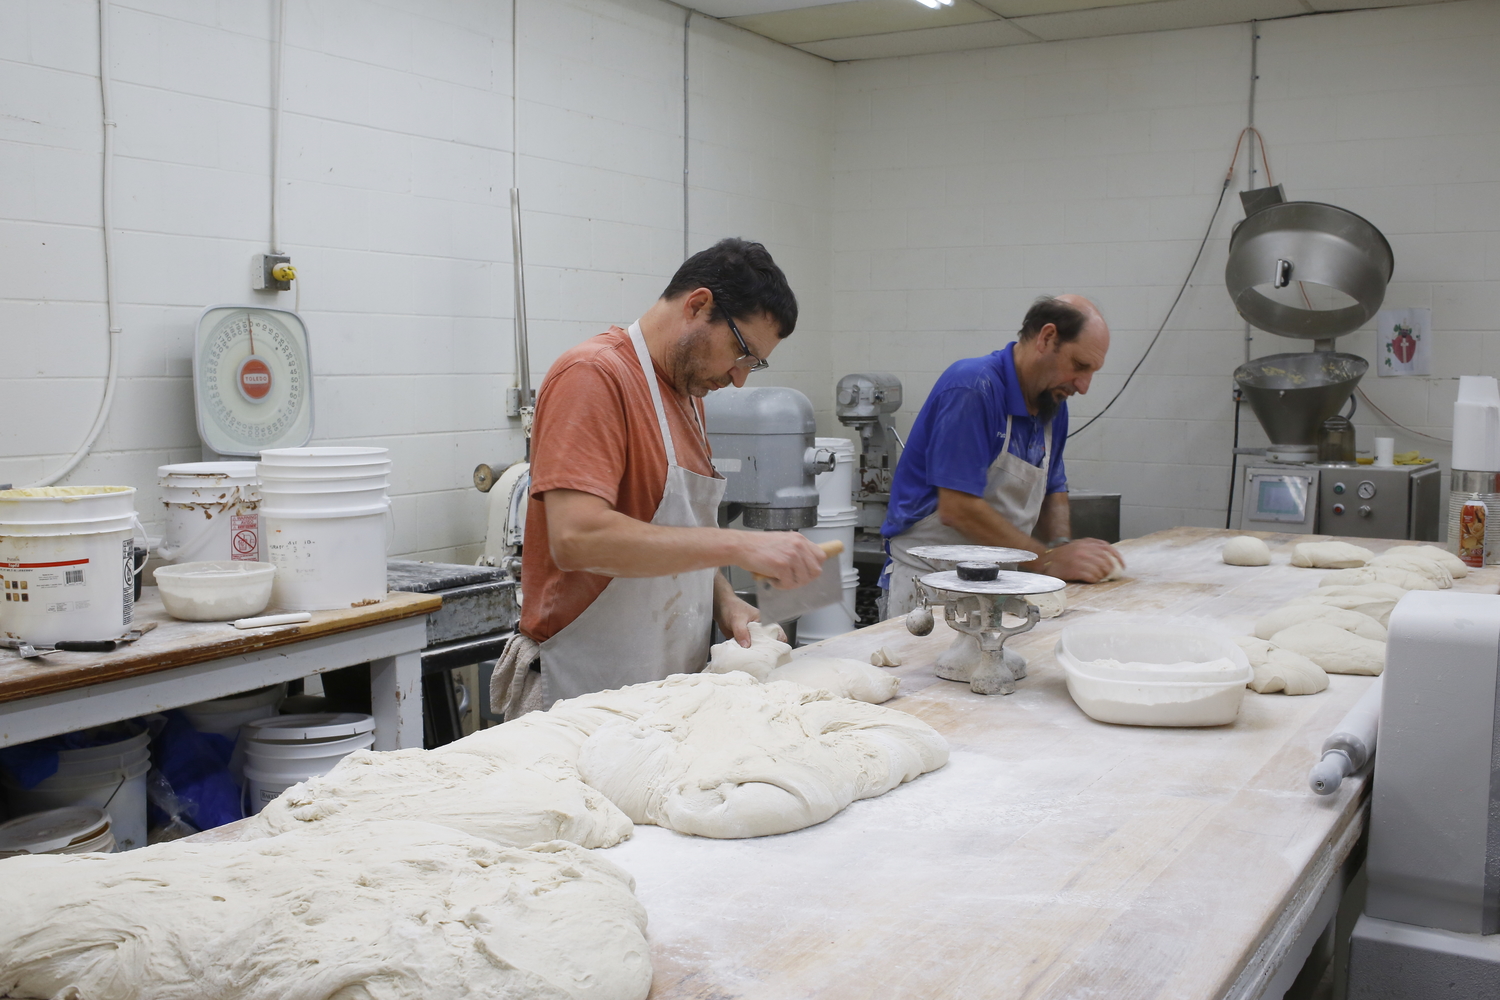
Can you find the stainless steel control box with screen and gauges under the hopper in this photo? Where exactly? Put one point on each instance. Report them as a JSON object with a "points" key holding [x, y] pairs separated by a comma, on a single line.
{"points": [[1336, 499]]}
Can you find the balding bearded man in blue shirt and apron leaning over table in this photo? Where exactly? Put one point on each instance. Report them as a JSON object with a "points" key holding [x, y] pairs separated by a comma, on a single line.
{"points": [[983, 464]]}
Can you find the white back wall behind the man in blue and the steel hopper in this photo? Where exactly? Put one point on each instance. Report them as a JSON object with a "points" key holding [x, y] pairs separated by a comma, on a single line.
{"points": [[967, 185]]}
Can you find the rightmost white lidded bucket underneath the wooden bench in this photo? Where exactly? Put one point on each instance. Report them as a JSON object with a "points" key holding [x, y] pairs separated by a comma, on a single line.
{"points": [[289, 749]]}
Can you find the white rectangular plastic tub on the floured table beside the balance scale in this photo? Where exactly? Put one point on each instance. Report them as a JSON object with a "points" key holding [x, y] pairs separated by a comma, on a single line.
{"points": [[1154, 675]]}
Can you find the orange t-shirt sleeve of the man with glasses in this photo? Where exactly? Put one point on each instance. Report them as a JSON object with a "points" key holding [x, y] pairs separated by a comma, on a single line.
{"points": [[580, 436]]}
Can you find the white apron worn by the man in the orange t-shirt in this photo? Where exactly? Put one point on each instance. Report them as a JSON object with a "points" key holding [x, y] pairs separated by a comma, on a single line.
{"points": [[643, 629]]}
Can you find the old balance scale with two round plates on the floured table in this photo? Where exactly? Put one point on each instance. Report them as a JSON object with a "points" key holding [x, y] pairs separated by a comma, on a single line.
{"points": [[976, 597]]}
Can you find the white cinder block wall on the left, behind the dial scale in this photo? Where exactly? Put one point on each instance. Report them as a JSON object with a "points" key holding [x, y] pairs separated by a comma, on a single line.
{"points": [[397, 169]]}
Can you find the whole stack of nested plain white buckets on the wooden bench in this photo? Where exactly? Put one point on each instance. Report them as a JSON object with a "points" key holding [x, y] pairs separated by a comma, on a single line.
{"points": [[326, 525]]}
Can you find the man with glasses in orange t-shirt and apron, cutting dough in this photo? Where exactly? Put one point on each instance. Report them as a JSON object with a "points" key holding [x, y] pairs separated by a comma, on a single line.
{"points": [[620, 569]]}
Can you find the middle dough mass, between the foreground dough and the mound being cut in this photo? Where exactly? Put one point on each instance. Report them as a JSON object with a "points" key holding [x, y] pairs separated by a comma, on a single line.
{"points": [[482, 795]]}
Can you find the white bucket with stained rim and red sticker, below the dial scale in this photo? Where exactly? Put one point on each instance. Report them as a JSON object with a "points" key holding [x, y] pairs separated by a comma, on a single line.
{"points": [[212, 512]]}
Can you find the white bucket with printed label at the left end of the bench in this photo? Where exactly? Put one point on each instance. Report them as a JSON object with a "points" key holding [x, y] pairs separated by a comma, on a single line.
{"points": [[67, 563]]}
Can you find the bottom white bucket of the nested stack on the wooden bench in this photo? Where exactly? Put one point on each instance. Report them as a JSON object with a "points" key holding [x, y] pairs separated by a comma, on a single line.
{"points": [[328, 558]]}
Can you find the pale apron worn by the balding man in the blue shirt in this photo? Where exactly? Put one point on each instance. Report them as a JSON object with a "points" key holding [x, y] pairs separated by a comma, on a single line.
{"points": [[1015, 488]]}
